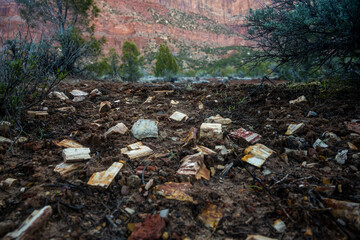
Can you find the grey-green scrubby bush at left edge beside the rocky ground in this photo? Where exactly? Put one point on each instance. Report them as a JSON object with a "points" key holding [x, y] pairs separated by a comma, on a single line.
{"points": [[28, 72]]}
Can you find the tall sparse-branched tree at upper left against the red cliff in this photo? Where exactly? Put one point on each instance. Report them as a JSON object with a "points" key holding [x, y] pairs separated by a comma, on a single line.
{"points": [[68, 22]]}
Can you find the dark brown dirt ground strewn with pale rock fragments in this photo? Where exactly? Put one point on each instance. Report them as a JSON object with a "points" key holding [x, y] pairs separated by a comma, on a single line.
{"points": [[291, 196]]}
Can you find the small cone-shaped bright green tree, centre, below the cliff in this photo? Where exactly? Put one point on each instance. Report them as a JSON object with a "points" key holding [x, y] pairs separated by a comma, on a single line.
{"points": [[165, 62]]}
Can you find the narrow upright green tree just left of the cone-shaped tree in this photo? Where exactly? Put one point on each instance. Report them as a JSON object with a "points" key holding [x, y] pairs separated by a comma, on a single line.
{"points": [[131, 62]]}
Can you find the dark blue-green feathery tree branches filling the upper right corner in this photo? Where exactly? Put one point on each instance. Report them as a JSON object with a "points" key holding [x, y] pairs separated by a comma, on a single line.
{"points": [[322, 32]]}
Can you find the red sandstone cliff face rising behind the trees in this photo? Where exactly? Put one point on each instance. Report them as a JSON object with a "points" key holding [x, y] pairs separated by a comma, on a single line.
{"points": [[187, 26]]}
